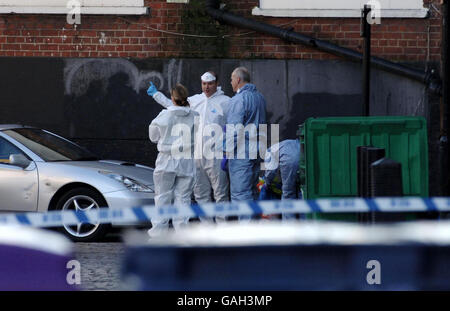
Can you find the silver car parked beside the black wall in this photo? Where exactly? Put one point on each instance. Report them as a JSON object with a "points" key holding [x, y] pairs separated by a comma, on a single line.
{"points": [[41, 171]]}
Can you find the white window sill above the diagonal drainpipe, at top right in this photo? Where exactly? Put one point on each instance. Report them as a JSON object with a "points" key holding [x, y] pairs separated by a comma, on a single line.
{"points": [[339, 8]]}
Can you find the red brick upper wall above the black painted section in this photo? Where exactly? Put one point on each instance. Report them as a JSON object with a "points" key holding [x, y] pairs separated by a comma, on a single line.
{"points": [[143, 36]]}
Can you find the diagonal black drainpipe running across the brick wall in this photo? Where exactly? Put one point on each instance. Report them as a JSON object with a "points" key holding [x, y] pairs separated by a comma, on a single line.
{"points": [[433, 82]]}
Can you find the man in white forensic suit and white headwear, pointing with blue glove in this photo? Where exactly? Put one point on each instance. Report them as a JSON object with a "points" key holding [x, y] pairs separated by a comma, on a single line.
{"points": [[212, 106]]}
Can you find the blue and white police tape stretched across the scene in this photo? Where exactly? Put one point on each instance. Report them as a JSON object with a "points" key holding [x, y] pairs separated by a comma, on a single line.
{"points": [[146, 213]]}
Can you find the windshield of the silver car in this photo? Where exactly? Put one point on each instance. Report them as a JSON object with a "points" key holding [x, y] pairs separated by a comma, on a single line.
{"points": [[49, 147]]}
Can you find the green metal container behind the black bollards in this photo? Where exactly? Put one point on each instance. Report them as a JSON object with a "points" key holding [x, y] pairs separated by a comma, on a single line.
{"points": [[328, 163]]}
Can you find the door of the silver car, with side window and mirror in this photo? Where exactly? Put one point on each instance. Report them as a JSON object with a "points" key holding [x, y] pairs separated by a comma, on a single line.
{"points": [[18, 185]]}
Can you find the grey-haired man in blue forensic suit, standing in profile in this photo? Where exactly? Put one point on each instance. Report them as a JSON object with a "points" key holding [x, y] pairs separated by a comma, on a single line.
{"points": [[247, 107]]}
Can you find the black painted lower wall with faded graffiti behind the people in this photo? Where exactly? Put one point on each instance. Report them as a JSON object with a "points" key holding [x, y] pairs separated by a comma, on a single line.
{"points": [[103, 105]]}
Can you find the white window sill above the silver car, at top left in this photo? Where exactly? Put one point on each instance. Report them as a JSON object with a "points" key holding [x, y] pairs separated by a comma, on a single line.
{"points": [[122, 7]]}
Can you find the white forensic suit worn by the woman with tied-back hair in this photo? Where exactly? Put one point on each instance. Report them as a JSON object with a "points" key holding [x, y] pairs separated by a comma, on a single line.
{"points": [[173, 129]]}
